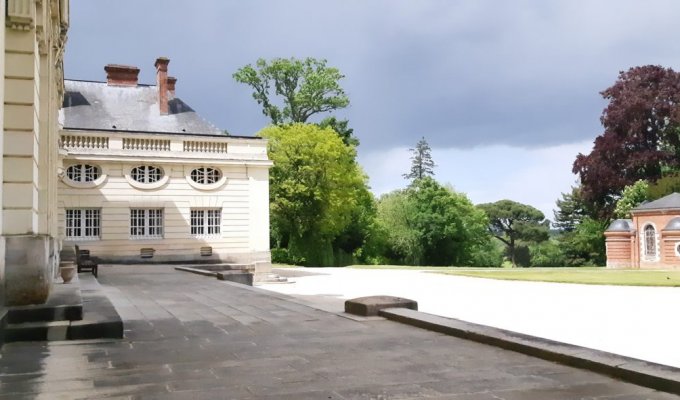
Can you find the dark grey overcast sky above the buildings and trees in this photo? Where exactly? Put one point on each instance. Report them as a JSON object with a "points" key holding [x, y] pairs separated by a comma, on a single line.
{"points": [[505, 92]]}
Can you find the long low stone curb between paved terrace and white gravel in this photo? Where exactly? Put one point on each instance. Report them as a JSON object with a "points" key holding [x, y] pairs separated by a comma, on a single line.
{"points": [[639, 372]]}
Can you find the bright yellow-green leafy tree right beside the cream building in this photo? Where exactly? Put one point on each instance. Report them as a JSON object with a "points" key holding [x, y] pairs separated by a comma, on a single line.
{"points": [[315, 189]]}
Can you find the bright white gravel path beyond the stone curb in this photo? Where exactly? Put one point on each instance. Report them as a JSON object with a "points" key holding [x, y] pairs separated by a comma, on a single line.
{"points": [[639, 322]]}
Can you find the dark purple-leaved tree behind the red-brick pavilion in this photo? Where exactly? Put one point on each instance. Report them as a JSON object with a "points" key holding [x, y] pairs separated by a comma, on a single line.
{"points": [[641, 137]]}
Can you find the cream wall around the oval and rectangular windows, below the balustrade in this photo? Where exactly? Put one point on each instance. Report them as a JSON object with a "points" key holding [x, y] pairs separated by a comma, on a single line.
{"points": [[115, 196]]}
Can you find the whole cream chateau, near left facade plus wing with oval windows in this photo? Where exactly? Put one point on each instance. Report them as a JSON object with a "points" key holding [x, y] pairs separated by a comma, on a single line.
{"points": [[126, 170]]}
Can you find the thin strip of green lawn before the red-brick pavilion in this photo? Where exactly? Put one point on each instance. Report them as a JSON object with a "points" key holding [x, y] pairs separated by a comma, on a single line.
{"points": [[589, 276]]}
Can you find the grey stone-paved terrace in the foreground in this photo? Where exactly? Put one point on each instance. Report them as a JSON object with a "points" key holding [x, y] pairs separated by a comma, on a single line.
{"points": [[193, 337]]}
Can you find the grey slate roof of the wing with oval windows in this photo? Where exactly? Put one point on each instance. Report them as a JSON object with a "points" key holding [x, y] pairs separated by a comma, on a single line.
{"points": [[98, 106]]}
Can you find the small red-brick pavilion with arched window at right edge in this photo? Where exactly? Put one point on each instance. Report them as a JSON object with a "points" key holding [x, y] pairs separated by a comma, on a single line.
{"points": [[650, 240]]}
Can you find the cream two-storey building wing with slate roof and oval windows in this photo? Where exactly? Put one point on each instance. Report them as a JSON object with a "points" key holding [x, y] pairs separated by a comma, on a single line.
{"points": [[145, 178]]}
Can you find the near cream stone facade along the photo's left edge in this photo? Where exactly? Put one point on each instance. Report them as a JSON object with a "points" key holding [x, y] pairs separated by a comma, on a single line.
{"points": [[32, 61]]}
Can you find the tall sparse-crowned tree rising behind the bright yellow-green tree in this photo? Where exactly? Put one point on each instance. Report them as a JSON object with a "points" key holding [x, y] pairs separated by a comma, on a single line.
{"points": [[305, 87]]}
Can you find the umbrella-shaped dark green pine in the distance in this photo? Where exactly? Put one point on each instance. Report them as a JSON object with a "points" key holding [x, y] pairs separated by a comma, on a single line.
{"points": [[510, 222]]}
